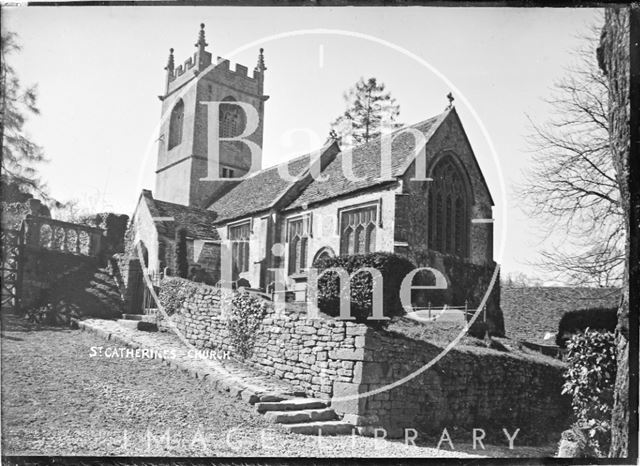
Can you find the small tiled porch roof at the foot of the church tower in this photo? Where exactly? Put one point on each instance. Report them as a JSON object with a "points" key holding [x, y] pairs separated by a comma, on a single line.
{"points": [[197, 222]]}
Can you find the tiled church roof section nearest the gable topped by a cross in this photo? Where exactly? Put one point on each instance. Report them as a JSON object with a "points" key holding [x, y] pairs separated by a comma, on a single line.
{"points": [[366, 165]]}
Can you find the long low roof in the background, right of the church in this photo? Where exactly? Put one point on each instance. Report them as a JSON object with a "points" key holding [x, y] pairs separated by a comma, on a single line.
{"points": [[530, 312]]}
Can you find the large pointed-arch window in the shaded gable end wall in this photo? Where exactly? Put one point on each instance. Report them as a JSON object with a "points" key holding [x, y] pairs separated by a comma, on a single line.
{"points": [[449, 209]]}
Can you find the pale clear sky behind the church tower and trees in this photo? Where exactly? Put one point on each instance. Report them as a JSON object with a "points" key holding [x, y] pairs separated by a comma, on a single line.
{"points": [[99, 72]]}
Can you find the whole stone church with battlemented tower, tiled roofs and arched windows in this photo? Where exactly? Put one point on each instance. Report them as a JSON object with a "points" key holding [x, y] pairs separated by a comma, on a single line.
{"points": [[440, 216]]}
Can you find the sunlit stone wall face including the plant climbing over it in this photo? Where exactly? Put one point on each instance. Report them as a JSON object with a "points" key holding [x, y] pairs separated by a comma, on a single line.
{"points": [[312, 354]]}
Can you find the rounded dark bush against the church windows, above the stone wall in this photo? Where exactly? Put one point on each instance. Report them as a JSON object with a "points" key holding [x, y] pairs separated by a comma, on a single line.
{"points": [[393, 268]]}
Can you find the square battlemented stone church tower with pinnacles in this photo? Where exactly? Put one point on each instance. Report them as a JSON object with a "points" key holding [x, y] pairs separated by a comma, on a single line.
{"points": [[182, 166]]}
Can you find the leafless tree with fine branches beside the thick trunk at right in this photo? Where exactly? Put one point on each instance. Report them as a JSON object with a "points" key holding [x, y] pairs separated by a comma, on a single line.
{"points": [[572, 187]]}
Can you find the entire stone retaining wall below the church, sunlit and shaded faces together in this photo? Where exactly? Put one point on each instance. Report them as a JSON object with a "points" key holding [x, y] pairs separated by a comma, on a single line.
{"points": [[469, 387]]}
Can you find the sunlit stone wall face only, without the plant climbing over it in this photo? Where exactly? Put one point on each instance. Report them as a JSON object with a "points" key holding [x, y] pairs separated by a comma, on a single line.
{"points": [[312, 354]]}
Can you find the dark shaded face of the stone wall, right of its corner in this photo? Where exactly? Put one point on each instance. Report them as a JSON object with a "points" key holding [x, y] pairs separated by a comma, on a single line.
{"points": [[470, 387]]}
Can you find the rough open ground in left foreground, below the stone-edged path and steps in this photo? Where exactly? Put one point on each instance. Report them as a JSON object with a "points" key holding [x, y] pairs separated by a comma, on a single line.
{"points": [[57, 400]]}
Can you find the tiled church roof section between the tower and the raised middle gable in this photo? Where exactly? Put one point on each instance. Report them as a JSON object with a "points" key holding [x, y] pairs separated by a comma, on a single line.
{"points": [[259, 191]]}
